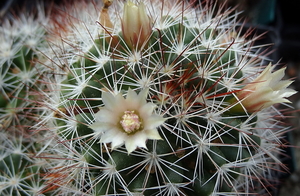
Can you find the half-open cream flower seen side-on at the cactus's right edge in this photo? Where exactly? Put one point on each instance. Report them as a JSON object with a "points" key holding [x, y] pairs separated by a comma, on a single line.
{"points": [[267, 89]]}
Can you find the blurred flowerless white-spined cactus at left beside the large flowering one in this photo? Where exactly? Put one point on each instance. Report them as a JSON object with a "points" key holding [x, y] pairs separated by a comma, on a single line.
{"points": [[21, 39]]}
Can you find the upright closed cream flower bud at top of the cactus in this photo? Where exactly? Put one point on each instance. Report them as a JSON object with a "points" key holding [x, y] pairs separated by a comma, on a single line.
{"points": [[136, 25]]}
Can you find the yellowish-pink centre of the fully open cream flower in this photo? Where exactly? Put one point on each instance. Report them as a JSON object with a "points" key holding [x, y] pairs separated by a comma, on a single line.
{"points": [[130, 122]]}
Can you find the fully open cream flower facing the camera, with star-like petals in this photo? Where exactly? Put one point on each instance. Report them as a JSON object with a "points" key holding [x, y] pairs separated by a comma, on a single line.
{"points": [[130, 121]]}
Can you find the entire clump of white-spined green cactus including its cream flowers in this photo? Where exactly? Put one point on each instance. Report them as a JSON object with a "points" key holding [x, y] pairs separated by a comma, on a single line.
{"points": [[138, 98]]}
